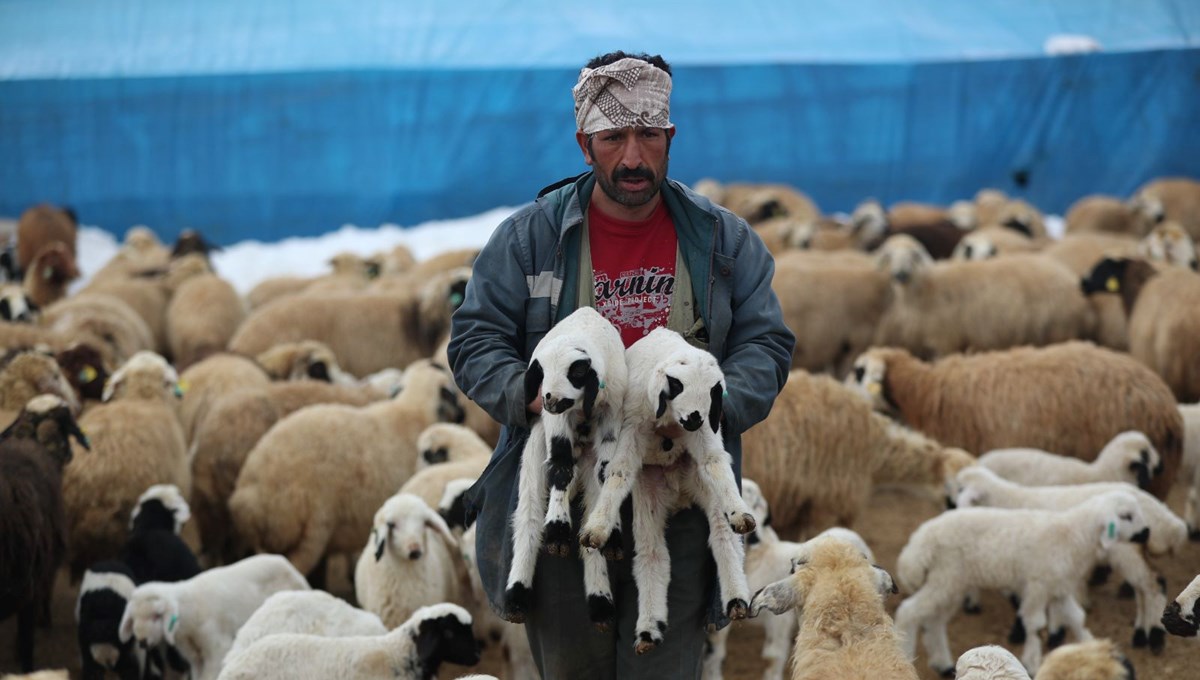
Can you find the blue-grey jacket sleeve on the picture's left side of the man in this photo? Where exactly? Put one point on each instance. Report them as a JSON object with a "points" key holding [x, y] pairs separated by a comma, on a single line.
{"points": [[488, 332]]}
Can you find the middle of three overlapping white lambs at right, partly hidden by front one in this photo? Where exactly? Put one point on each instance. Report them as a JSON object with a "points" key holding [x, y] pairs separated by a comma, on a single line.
{"points": [[981, 488]]}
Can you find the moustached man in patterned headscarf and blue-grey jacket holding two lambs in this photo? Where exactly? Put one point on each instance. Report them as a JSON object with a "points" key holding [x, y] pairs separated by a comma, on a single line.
{"points": [[646, 252]]}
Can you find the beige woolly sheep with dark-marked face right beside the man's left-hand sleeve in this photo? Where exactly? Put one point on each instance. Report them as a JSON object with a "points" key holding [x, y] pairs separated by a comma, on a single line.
{"points": [[368, 333]]}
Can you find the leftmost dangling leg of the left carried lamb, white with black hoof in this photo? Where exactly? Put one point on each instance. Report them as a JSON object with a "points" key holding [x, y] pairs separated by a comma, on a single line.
{"points": [[527, 527]]}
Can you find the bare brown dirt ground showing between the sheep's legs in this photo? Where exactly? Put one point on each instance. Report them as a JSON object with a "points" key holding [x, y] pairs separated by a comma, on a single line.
{"points": [[892, 516]]}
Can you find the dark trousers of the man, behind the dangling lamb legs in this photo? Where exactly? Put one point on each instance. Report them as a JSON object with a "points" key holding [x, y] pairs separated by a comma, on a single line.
{"points": [[566, 645]]}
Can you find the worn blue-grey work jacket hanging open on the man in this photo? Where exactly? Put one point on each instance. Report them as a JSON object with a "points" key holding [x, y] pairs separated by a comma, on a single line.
{"points": [[526, 280]]}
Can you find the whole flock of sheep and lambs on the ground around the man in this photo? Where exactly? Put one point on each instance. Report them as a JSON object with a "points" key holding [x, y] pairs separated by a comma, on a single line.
{"points": [[1046, 387]]}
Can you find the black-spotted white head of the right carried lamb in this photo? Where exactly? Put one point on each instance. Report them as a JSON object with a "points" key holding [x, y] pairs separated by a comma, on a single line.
{"points": [[689, 390]]}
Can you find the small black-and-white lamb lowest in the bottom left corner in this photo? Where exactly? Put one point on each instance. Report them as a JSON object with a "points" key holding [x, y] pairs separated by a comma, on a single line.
{"points": [[104, 594]]}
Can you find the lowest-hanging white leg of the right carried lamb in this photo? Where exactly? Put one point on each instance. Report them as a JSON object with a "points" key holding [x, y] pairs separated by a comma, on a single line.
{"points": [[652, 567]]}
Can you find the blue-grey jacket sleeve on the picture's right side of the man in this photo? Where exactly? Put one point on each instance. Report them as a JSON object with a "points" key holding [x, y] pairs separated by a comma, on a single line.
{"points": [[759, 348]]}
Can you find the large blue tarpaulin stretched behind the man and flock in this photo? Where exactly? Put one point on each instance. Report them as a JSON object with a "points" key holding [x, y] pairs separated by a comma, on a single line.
{"points": [[284, 118]]}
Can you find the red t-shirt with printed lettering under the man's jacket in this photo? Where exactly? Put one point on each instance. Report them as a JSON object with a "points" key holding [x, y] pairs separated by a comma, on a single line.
{"points": [[633, 264]]}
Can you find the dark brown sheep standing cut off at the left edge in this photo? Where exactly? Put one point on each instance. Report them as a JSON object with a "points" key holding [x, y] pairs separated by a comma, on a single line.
{"points": [[34, 452]]}
